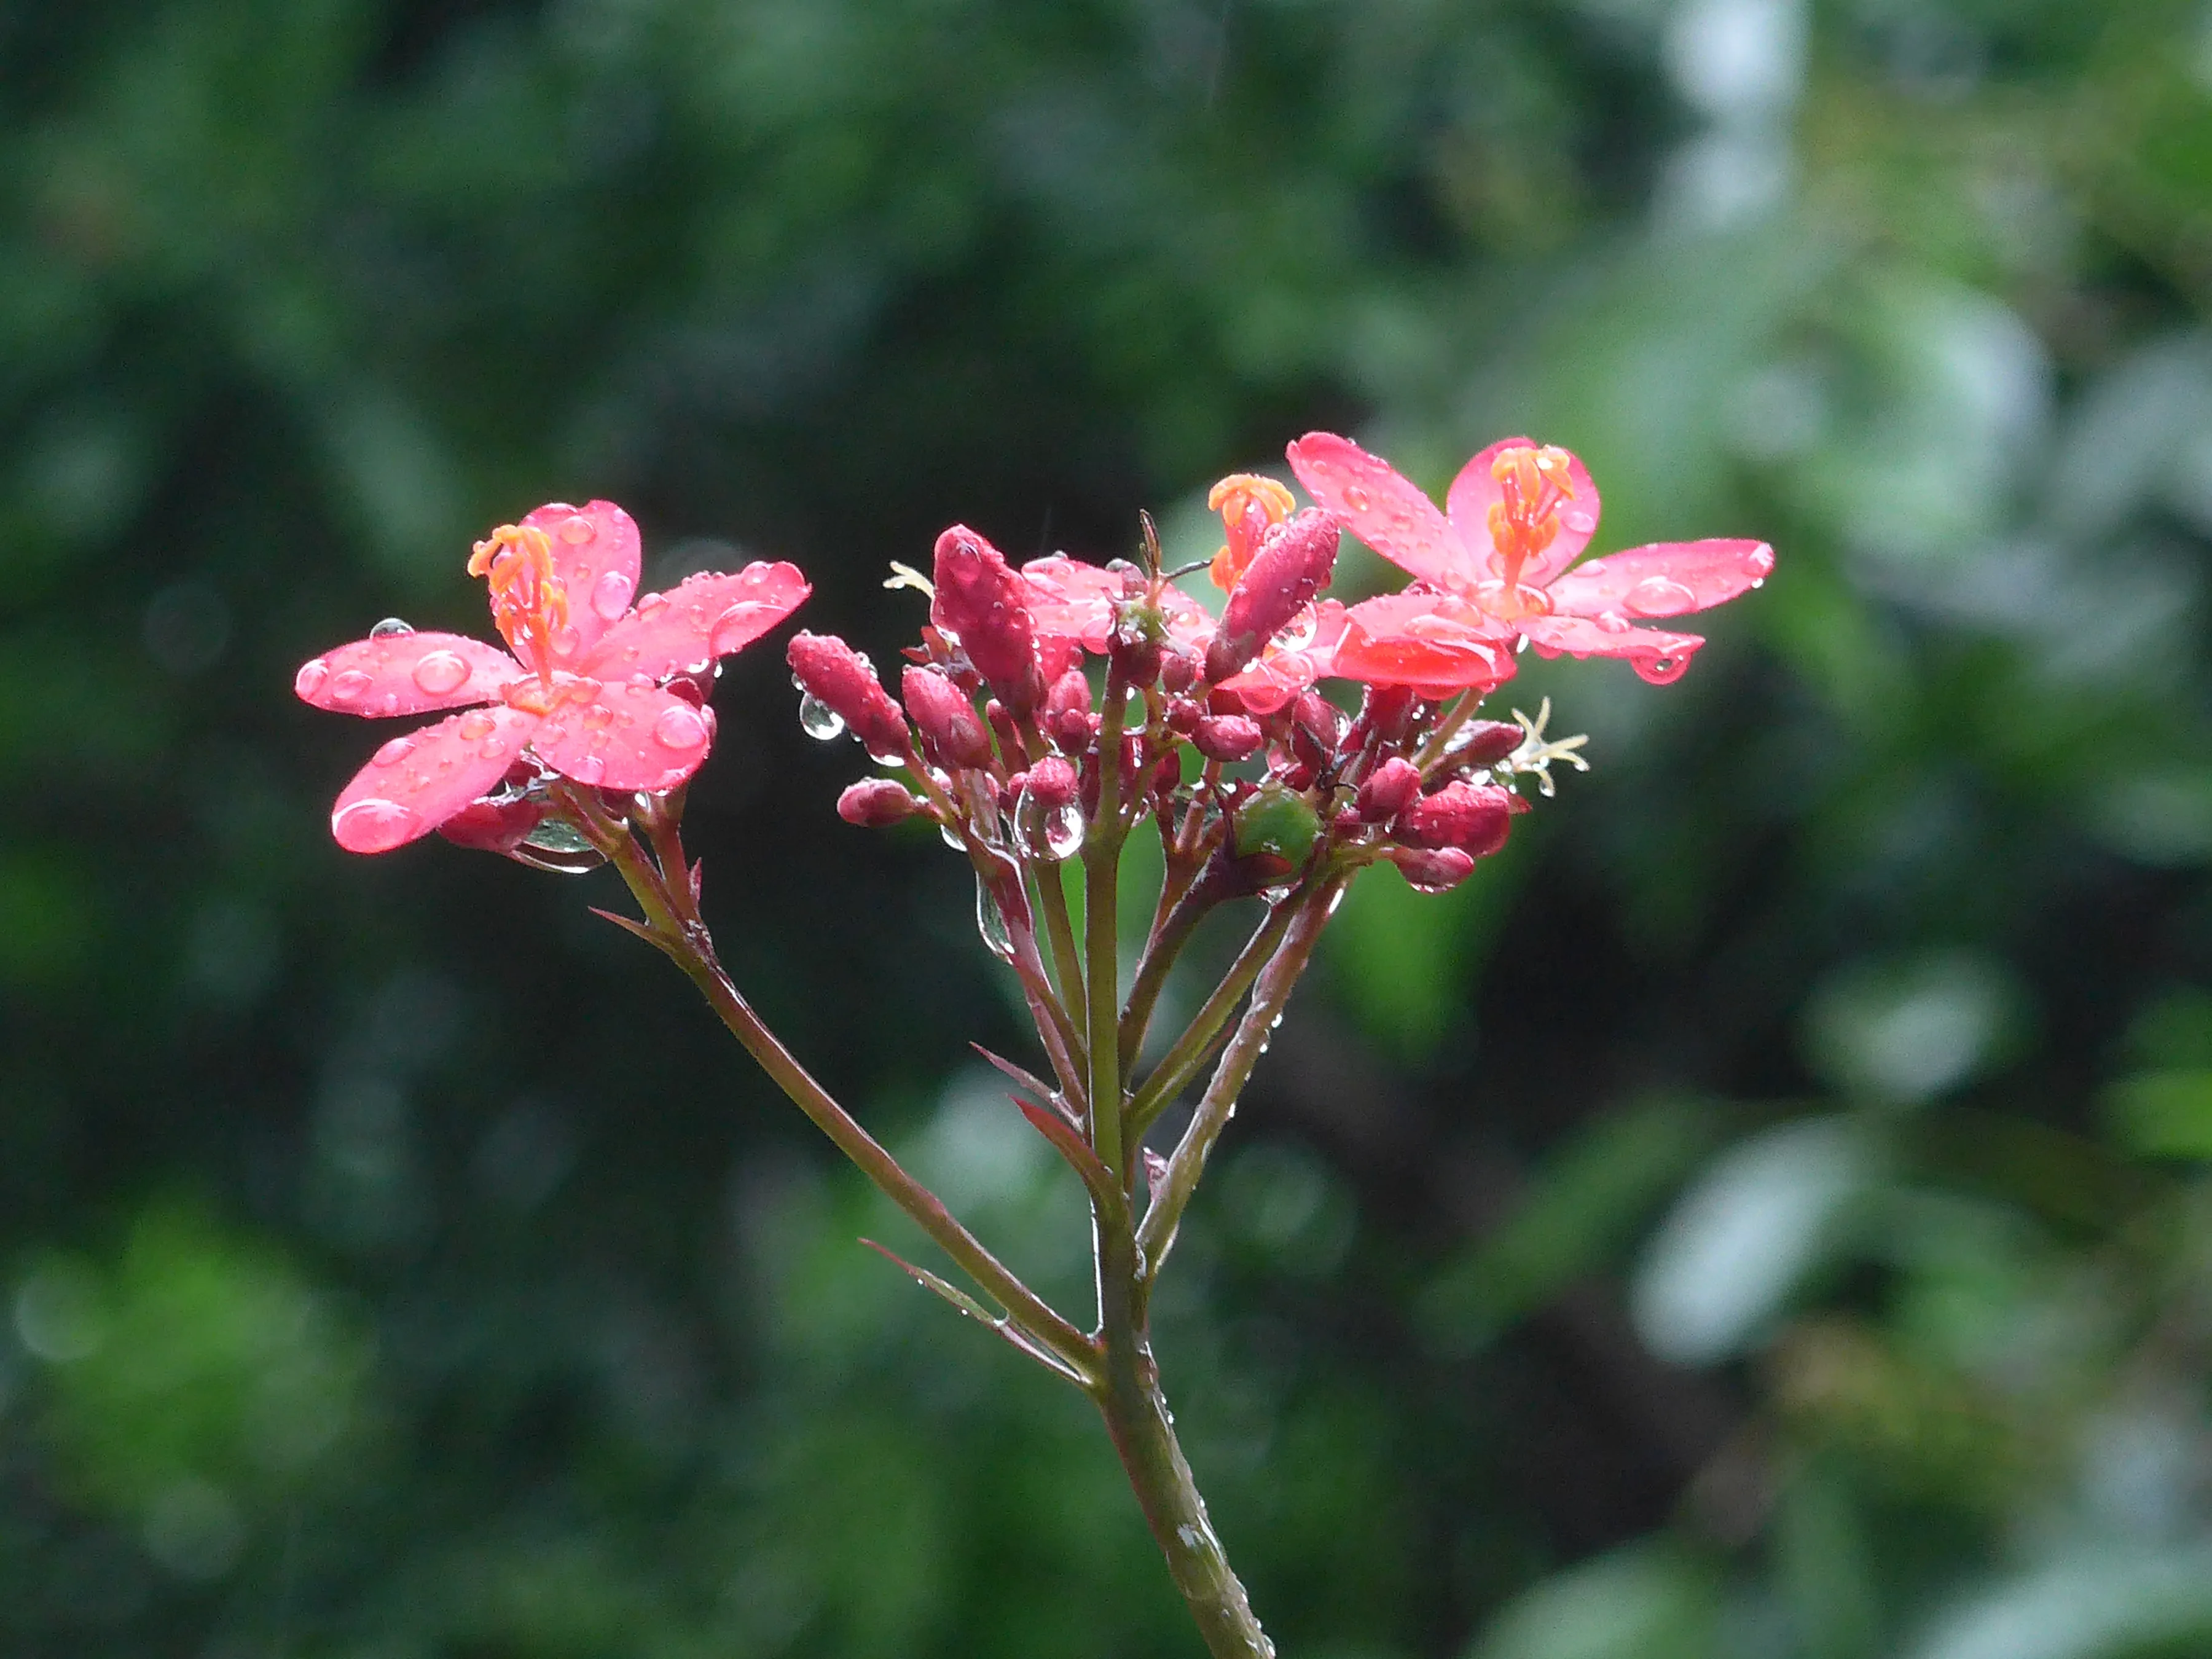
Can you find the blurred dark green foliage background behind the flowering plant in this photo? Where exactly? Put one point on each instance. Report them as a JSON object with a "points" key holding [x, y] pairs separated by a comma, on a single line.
{"points": [[1764, 1215]]}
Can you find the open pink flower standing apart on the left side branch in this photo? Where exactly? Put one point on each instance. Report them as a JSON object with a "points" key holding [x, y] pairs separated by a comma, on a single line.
{"points": [[583, 693]]}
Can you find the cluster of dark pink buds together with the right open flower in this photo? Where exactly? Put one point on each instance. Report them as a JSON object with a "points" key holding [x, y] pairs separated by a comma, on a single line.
{"points": [[1215, 724]]}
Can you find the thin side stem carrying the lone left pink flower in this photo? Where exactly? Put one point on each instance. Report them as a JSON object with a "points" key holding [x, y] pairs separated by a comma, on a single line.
{"points": [[678, 930]]}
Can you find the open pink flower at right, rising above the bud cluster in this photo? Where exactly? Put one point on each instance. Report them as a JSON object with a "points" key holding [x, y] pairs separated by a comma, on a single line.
{"points": [[1496, 565]]}
